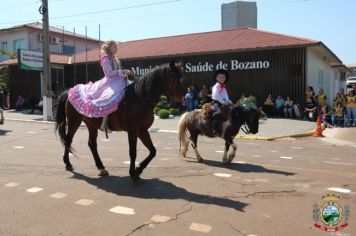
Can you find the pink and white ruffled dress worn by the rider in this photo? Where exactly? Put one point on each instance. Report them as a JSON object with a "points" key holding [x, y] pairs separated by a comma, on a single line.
{"points": [[101, 98]]}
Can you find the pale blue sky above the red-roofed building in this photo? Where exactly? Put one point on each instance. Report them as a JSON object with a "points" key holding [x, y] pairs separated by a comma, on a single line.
{"points": [[330, 21]]}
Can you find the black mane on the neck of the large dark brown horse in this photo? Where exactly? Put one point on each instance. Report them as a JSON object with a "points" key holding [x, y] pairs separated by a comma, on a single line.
{"points": [[148, 86]]}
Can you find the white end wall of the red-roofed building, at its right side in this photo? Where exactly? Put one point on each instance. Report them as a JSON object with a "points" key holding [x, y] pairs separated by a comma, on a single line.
{"points": [[317, 64]]}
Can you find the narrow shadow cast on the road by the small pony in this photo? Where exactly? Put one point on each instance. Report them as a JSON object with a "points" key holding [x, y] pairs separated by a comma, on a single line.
{"points": [[244, 168]]}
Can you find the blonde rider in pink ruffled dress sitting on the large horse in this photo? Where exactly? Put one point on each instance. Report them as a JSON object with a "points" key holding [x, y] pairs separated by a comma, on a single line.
{"points": [[103, 97]]}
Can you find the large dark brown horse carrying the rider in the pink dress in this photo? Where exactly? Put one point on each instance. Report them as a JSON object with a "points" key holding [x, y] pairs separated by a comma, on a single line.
{"points": [[134, 115]]}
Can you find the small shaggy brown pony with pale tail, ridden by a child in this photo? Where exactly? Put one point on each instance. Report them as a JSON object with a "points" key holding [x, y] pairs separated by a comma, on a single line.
{"points": [[198, 122]]}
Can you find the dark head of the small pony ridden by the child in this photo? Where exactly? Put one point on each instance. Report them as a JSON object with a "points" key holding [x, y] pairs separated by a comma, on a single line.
{"points": [[246, 116]]}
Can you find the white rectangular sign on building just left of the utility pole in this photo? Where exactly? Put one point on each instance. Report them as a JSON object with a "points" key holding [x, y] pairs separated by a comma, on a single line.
{"points": [[30, 60]]}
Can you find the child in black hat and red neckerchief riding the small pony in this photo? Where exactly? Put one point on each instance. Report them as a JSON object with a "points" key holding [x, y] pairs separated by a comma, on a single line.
{"points": [[220, 98]]}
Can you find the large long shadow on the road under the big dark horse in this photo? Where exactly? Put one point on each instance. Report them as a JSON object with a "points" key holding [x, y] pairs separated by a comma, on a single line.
{"points": [[156, 189]]}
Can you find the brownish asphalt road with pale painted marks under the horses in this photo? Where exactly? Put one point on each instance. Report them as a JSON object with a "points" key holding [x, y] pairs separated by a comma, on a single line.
{"points": [[259, 194]]}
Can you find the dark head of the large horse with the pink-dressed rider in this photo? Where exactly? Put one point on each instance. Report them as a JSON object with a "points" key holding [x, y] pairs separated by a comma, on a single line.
{"points": [[173, 76]]}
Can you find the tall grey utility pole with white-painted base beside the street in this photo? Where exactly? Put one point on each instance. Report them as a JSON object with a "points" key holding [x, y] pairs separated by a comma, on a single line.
{"points": [[47, 90]]}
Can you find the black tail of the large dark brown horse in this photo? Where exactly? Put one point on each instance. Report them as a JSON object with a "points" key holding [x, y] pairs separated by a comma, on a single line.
{"points": [[61, 120]]}
